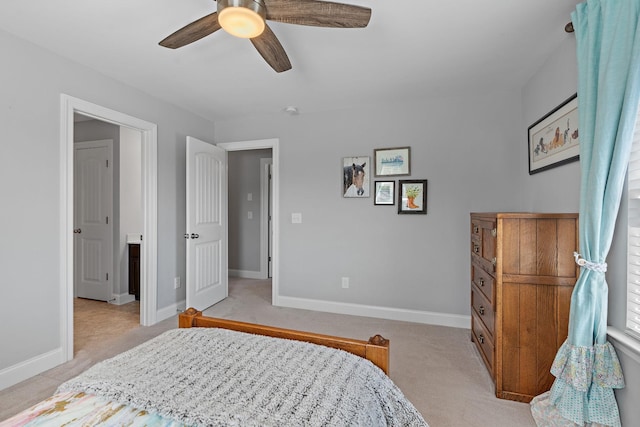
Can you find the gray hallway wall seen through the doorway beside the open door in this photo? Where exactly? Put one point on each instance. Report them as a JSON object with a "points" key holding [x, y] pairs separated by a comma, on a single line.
{"points": [[244, 233]]}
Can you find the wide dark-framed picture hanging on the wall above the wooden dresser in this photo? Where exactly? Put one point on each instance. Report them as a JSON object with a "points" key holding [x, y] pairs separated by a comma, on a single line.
{"points": [[553, 140]]}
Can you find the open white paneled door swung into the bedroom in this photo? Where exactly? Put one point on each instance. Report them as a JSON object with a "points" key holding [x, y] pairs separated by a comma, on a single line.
{"points": [[207, 228]]}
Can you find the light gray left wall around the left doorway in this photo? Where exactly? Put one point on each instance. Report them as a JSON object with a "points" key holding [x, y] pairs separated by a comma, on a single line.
{"points": [[30, 190]]}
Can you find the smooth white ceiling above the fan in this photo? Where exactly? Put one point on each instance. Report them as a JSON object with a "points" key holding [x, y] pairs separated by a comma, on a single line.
{"points": [[411, 48]]}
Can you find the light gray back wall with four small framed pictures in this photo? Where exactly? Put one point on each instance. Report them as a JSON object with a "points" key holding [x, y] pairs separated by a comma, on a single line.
{"points": [[463, 145]]}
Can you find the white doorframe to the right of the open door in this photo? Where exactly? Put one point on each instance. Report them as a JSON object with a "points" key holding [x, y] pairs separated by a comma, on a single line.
{"points": [[275, 176]]}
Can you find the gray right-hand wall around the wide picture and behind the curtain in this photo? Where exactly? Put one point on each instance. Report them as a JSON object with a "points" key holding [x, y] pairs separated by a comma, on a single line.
{"points": [[559, 188]]}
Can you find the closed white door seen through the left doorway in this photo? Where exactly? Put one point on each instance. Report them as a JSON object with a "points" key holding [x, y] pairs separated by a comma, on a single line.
{"points": [[93, 232]]}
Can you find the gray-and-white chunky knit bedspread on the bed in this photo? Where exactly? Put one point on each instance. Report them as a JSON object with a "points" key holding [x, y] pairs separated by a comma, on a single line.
{"points": [[218, 377]]}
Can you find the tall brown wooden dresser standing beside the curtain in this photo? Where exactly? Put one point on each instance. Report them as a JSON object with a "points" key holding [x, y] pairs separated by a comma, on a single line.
{"points": [[522, 276]]}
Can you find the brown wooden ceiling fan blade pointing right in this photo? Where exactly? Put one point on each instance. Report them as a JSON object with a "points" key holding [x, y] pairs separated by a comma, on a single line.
{"points": [[318, 13]]}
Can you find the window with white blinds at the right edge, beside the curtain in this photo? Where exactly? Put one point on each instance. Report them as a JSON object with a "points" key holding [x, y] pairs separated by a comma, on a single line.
{"points": [[633, 250]]}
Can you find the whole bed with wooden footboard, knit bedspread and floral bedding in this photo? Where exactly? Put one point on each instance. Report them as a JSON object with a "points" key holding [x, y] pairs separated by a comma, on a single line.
{"points": [[218, 372]]}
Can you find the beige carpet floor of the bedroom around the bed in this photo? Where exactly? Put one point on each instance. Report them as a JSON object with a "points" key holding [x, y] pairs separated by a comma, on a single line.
{"points": [[436, 367]]}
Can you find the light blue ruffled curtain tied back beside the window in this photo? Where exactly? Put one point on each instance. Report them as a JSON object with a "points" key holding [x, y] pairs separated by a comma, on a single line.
{"points": [[586, 367]]}
